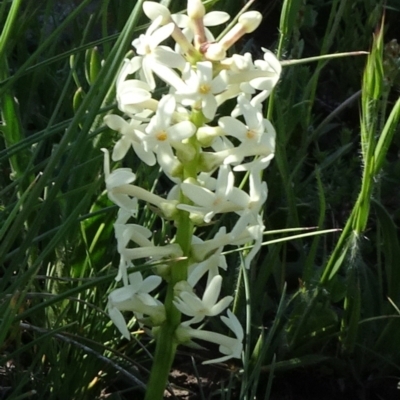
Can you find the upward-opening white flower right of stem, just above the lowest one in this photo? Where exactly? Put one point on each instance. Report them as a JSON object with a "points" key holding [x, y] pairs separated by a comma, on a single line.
{"points": [[189, 304]]}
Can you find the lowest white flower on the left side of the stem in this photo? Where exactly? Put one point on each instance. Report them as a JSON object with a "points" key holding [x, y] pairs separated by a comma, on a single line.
{"points": [[134, 297]]}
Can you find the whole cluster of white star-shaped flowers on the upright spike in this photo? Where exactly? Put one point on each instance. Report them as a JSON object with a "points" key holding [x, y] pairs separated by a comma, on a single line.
{"points": [[182, 131]]}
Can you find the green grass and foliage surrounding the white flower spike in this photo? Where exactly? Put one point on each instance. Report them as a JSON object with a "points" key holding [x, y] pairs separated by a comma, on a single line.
{"points": [[330, 300]]}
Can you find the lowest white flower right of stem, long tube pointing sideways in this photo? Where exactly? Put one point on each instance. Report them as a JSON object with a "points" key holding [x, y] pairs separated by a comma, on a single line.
{"points": [[230, 347]]}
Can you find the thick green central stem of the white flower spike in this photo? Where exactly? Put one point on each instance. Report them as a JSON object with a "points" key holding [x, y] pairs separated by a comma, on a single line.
{"points": [[166, 343]]}
